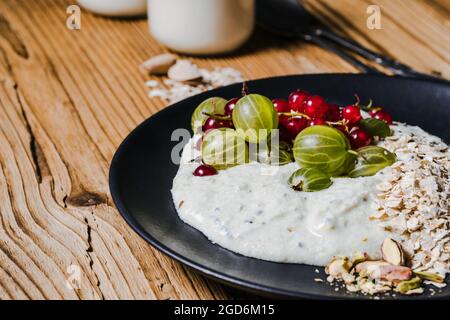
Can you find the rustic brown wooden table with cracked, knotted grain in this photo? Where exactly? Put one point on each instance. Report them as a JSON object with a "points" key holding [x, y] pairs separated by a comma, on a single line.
{"points": [[68, 98]]}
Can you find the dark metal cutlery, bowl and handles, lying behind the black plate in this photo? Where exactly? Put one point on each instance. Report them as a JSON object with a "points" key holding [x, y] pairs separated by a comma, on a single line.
{"points": [[289, 18]]}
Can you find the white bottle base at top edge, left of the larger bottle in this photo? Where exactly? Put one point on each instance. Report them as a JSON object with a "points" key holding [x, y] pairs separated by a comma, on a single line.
{"points": [[116, 8]]}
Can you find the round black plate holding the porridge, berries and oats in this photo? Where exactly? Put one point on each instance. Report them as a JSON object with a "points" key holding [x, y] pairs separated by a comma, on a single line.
{"points": [[141, 175]]}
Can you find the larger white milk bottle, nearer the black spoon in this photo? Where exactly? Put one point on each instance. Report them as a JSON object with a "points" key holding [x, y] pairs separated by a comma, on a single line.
{"points": [[201, 26]]}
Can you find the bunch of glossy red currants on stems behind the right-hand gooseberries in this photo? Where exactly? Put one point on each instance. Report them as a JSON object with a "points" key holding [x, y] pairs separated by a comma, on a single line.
{"points": [[302, 110]]}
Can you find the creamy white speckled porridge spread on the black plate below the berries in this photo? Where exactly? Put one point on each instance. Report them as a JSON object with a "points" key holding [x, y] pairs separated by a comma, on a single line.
{"points": [[249, 211]]}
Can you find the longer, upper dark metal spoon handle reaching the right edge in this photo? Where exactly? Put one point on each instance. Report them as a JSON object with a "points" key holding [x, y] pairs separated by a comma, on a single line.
{"points": [[393, 65]]}
